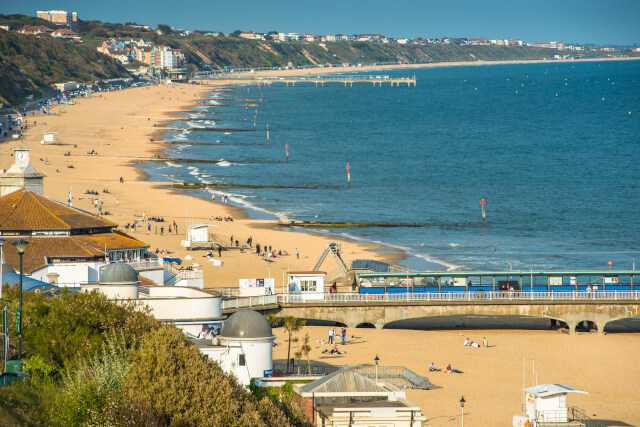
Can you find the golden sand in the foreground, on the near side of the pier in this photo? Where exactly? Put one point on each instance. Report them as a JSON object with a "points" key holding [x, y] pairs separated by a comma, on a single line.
{"points": [[603, 365]]}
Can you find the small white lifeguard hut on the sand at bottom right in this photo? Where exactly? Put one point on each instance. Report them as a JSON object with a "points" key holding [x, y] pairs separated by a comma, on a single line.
{"points": [[546, 404]]}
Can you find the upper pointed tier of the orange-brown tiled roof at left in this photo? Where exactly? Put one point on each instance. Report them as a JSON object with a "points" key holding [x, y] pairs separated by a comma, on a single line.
{"points": [[26, 210]]}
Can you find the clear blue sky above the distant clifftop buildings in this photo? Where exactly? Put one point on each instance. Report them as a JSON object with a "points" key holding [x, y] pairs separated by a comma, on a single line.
{"points": [[581, 21]]}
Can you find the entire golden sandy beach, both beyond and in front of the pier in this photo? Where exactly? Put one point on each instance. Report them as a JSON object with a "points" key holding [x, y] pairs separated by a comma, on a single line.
{"points": [[120, 126]]}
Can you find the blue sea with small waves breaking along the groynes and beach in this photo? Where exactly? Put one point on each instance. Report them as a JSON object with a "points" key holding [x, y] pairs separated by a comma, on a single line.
{"points": [[553, 148]]}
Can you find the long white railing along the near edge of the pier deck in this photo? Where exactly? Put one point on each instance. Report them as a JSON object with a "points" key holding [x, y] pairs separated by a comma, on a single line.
{"points": [[320, 297]]}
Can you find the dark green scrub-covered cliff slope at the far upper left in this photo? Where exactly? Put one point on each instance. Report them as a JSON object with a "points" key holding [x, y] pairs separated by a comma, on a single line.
{"points": [[31, 64]]}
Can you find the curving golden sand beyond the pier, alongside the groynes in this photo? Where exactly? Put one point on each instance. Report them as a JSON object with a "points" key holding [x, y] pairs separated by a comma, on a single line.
{"points": [[119, 126]]}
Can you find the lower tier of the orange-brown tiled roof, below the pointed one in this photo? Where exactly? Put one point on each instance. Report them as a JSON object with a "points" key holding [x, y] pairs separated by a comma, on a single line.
{"points": [[83, 246]]}
